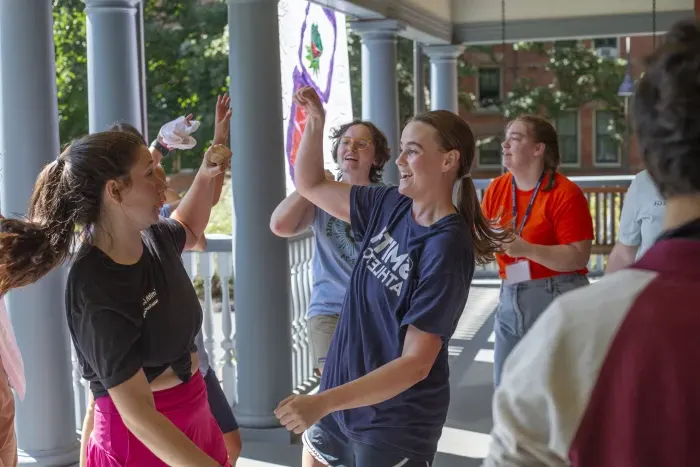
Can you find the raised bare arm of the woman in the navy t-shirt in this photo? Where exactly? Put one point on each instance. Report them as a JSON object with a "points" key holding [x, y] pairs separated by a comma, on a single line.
{"points": [[333, 197]]}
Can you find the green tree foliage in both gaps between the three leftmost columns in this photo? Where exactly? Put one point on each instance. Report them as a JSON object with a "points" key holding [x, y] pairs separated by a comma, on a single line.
{"points": [[187, 66]]}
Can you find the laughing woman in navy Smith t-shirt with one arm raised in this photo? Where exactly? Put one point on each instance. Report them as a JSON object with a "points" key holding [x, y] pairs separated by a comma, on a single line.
{"points": [[385, 391]]}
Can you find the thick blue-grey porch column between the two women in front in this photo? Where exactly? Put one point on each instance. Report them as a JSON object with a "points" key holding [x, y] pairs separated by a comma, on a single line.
{"points": [[262, 298]]}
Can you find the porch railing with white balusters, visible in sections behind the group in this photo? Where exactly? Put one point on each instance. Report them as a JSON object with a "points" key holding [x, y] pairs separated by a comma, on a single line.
{"points": [[213, 276]]}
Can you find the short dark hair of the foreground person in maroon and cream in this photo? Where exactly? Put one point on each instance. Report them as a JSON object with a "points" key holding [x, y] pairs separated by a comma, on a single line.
{"points": [[666, 118]]}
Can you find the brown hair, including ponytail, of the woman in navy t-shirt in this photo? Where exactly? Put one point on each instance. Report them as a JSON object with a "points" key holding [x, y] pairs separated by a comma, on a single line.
{"points": [[454, 133]]}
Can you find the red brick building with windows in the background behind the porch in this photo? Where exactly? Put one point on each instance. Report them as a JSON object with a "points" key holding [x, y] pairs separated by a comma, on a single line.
{"points": [[586, 145]]}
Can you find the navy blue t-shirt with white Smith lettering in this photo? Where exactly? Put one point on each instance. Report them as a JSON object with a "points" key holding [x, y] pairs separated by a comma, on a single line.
{"points": [[406, 274]]}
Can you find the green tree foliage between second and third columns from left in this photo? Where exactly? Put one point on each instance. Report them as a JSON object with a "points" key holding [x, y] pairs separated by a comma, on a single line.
{"points": [[187, 65]]}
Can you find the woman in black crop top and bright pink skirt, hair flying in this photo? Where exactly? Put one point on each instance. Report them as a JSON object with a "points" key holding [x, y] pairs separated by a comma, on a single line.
{"points": [[132, 311]]}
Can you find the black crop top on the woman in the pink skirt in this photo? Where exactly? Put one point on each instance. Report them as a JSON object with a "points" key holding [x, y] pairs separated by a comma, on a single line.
{"points": [[125, 318]]}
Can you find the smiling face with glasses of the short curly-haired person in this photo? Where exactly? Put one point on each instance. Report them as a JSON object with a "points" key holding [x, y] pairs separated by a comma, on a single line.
{"points": [[356, 152]]}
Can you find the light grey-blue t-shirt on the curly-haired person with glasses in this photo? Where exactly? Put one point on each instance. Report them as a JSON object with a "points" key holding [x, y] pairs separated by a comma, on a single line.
{"points": [[335, 256]]}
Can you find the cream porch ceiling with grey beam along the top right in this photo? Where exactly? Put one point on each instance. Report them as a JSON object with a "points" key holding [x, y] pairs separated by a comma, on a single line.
{"points": [[479, 21]]}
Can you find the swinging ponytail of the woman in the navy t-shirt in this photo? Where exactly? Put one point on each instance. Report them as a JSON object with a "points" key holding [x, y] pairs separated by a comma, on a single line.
{"points": [[487, 241]]}
